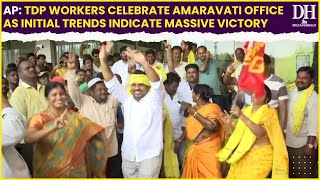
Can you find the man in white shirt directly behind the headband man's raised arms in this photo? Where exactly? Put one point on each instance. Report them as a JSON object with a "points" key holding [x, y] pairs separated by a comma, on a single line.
{"points": [[121, 67]]}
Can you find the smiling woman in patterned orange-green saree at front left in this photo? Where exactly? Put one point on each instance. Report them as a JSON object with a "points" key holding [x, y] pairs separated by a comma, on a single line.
{"points": [[66, 144]]}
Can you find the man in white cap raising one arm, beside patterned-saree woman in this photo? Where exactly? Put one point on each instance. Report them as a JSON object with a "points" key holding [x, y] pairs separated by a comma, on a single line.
{"points": [[100, 108]]}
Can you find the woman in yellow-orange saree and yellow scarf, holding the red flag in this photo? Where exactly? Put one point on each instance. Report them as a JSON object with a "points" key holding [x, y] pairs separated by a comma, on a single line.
{"points": [[256, 145]]}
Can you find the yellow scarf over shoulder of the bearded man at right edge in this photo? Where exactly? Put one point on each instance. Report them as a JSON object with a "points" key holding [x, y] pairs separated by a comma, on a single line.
{"points": [[298, 113]]}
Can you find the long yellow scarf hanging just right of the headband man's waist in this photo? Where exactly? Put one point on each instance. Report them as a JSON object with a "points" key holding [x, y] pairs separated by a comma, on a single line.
{"points": [[171, 164]]}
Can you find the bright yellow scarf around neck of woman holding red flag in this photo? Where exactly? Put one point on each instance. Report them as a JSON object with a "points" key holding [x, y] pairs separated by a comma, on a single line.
{"points": [[242, 138]]}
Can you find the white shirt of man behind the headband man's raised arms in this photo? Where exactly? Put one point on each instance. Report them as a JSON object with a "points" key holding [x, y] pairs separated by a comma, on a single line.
{"points": [[121, 68]]}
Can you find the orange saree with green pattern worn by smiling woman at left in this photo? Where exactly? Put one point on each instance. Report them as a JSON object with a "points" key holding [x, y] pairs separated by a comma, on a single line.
{"points": [[77, 150]]}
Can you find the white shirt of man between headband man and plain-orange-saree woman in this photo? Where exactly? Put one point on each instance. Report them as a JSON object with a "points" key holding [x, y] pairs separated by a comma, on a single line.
{"points": [[176, 117]]}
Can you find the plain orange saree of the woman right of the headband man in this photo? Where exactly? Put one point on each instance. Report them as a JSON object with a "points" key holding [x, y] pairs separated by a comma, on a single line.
{"points": [[200, 159]]}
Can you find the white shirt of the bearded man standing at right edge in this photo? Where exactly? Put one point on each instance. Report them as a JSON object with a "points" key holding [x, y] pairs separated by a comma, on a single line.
{"points": [[310, 123]]}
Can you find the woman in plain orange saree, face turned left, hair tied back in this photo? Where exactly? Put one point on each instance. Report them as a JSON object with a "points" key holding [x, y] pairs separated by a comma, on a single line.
{"points": [[204, 129]]}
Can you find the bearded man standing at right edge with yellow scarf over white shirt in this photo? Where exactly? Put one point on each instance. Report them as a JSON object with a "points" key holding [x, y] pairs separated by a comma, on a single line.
{"points": [[302, 125]]}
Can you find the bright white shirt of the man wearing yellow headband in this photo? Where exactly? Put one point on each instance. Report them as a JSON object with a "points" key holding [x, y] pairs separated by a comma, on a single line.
{"points": [[143, 126]]}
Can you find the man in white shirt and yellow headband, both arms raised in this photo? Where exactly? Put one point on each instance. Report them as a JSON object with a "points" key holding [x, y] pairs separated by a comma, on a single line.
{"points": [[143, 130]]}
